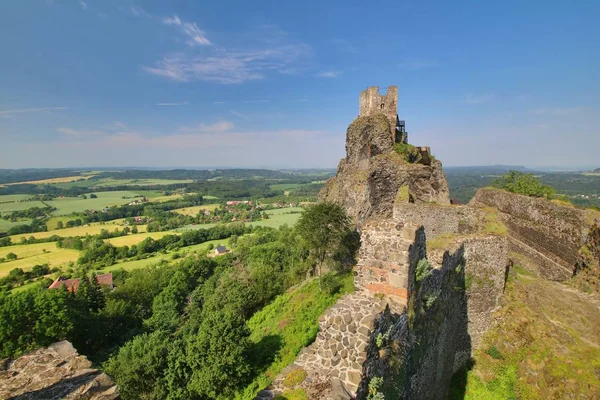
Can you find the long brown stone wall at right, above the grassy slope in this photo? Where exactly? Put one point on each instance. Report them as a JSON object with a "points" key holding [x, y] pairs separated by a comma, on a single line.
{"points": [[548, 233]]}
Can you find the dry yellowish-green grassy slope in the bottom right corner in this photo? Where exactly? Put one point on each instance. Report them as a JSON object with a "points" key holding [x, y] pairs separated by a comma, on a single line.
{"points": [[546, 345]]}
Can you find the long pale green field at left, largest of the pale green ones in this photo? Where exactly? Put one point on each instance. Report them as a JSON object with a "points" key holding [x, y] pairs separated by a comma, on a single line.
{"points": [[70, 205]]}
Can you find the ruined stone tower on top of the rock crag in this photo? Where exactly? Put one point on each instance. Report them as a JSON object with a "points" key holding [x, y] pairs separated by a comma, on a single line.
{"points": [[372, 103]]}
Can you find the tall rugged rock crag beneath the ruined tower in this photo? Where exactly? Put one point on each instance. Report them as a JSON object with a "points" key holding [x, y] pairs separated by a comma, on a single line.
{"points": [[369, 179]]}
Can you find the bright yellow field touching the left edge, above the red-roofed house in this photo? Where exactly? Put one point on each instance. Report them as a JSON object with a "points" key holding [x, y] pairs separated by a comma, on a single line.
{"points": [[34, 254]]}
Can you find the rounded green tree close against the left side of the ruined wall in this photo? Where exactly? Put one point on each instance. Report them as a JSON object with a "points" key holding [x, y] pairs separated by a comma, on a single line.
{"points": [[323, 228]]}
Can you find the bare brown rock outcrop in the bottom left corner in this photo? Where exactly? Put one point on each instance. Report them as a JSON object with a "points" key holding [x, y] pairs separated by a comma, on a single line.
{"points": [[56, 372]]}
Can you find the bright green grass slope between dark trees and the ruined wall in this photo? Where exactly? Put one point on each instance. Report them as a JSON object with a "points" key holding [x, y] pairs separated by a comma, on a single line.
{"points": [[280, 330]]}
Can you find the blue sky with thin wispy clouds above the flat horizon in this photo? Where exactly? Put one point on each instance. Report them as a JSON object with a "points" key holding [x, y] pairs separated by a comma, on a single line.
{"points": [[276, 83]]}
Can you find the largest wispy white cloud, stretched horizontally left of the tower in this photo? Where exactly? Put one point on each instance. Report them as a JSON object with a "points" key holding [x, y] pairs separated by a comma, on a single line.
{"points": [[228, 66]]}
